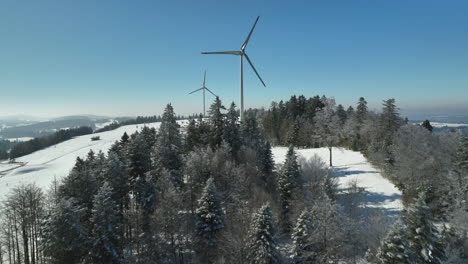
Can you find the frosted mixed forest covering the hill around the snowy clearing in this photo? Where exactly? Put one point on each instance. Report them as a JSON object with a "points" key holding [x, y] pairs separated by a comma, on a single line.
{"points": [[213, 194]]}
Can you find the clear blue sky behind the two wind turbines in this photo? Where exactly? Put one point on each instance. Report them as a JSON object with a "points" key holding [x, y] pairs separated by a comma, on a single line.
{"points": [[132, 57]]}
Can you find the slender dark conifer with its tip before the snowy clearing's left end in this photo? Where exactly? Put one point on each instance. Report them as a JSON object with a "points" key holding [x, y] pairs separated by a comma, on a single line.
{"points": [[288, 180]]}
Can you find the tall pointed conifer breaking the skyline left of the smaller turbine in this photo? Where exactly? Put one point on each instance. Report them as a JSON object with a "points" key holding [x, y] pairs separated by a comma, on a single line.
{"points": [[168, 148]]}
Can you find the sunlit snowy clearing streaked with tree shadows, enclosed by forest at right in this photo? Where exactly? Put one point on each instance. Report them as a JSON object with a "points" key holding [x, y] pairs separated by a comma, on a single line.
{"points": [[353, 166]]}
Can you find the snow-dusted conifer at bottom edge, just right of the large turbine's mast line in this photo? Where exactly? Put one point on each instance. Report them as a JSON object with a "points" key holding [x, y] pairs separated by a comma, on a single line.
{"points": [[262, 245]]}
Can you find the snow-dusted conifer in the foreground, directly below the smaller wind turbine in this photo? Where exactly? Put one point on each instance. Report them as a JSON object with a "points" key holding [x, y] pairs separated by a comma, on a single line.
{"points": [[209, 221]]}
